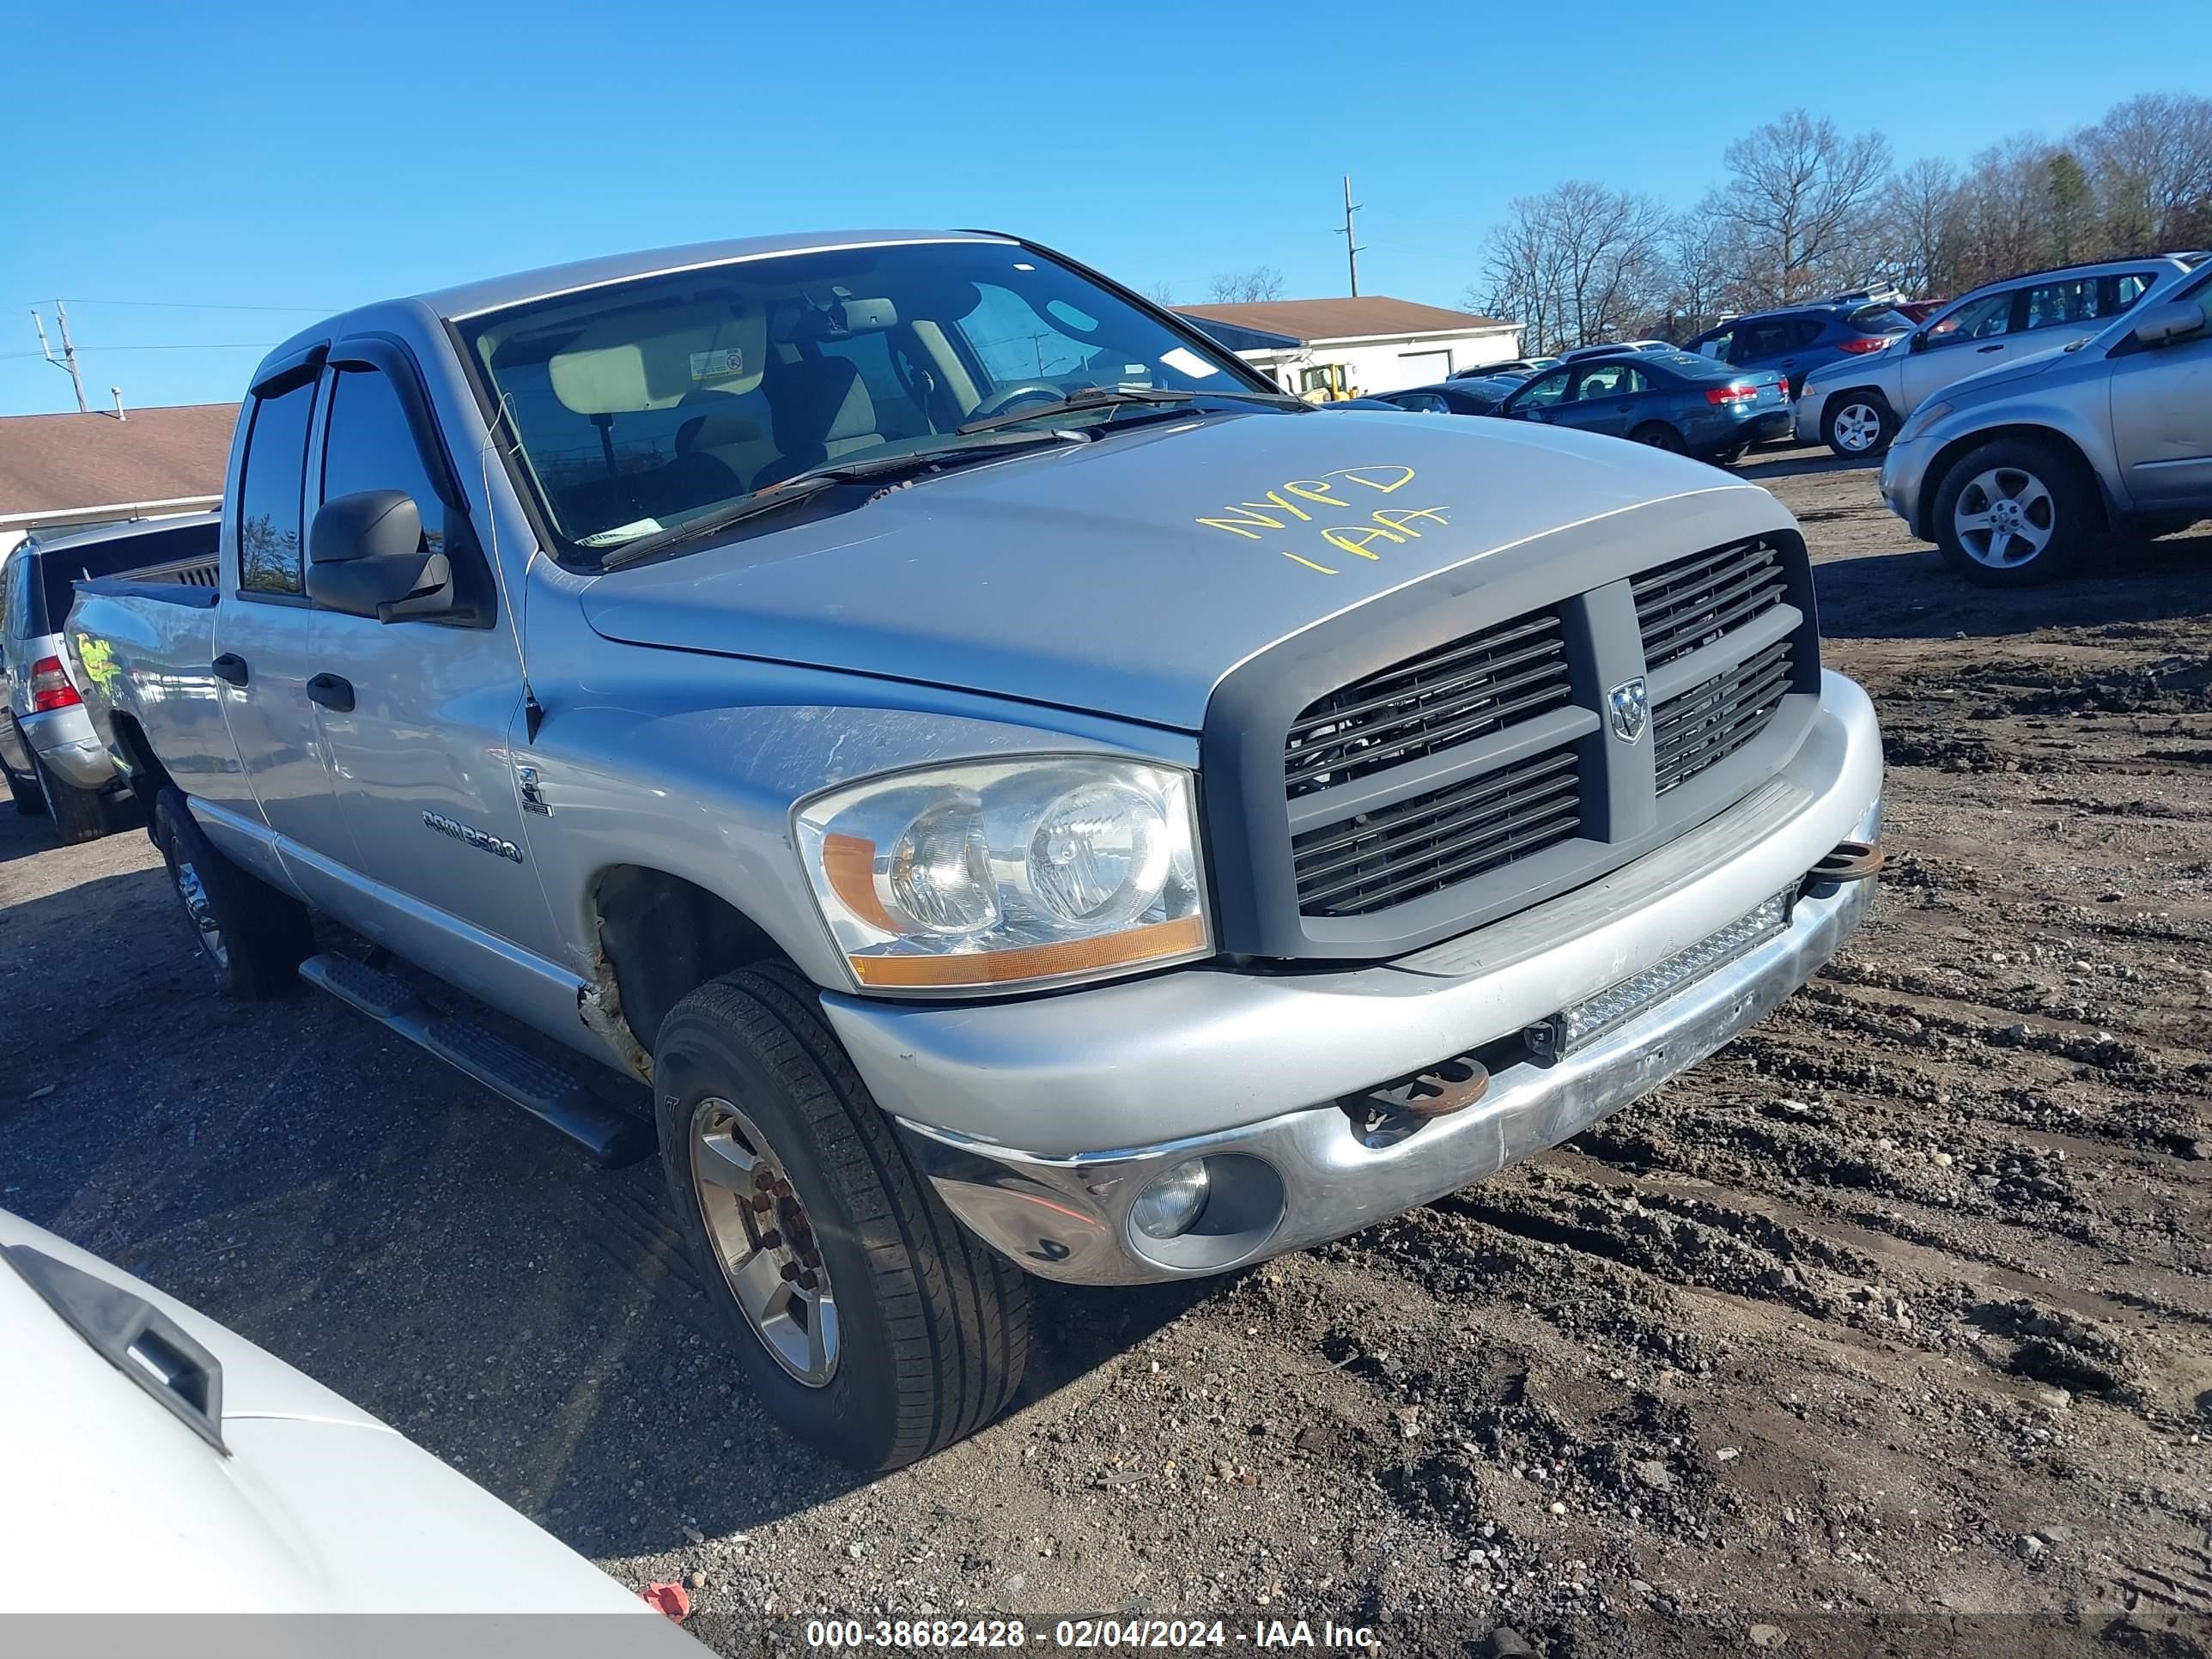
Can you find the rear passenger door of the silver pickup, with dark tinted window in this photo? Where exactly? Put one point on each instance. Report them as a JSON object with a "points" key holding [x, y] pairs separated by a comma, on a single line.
{"points": [[262, 629]]}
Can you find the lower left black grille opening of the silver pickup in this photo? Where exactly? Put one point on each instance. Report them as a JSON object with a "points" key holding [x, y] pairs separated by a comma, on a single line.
{"points": [[1439, 839]]}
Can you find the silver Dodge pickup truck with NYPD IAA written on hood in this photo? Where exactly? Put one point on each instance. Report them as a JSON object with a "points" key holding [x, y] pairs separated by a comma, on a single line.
{"points": [[1027, 795]]}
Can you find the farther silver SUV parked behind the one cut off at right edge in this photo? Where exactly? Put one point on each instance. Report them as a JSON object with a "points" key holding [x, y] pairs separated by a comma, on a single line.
{"points": [[1857, 404]]}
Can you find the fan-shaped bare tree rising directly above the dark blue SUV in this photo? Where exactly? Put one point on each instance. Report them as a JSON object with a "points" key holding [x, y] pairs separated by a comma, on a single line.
{"points": [[1799, 191]]}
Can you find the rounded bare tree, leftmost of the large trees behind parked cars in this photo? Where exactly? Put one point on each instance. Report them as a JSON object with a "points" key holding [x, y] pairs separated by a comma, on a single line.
{"points": [[1576, 264]]}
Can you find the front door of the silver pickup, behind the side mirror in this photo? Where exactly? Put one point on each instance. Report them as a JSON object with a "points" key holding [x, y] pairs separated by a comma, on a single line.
{"points": [[421, 713]]}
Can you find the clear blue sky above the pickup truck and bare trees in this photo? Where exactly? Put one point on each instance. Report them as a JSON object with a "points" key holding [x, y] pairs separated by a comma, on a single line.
{"points": [[258, 156]]}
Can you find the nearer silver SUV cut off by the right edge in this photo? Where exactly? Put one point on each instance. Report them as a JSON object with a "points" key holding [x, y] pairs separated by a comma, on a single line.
{"points": [[2014, 470]]}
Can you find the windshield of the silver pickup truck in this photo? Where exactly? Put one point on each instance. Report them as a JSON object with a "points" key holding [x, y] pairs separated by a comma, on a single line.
{"points": [[658, 401]]}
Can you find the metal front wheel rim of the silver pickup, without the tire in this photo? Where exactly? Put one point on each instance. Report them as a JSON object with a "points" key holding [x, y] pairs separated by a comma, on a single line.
{"points": [[764, 1242]]}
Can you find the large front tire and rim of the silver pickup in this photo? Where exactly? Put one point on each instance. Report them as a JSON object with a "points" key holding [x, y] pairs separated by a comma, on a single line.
{"points": [[868, 1322]]}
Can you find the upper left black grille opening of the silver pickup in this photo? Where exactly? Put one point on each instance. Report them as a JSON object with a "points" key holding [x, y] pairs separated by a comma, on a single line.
{"points": [[1457, 693]]}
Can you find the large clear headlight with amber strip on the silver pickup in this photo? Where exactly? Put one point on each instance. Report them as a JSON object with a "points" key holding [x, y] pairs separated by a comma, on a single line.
{"points": [[1008, 873]]}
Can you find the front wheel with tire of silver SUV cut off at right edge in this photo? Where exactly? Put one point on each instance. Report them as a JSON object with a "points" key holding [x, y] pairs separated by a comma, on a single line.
{"points": [[2014, 514]]}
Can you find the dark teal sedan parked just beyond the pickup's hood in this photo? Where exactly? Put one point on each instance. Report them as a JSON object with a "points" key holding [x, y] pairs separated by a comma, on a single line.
{"points": [[1660, 397]]}
